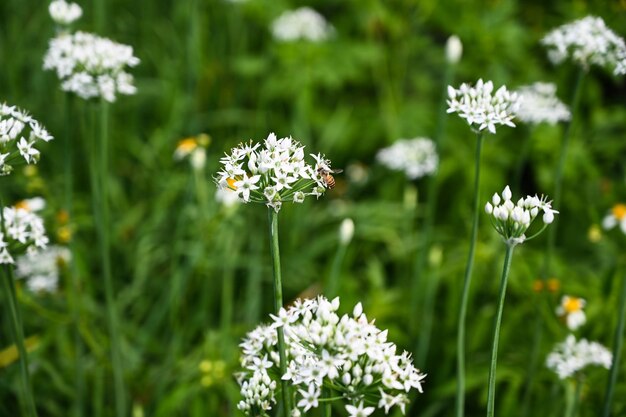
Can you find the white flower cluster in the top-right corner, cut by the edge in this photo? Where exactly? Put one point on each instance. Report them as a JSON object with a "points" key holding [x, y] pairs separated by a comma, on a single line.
{"points": [[587, 42]]}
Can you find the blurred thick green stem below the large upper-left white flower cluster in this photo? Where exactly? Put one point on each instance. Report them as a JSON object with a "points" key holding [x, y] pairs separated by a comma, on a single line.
{"points": [[102, 220]]}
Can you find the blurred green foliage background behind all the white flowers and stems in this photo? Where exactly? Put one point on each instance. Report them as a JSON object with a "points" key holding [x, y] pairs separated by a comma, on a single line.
{"points": [[212, 67]]}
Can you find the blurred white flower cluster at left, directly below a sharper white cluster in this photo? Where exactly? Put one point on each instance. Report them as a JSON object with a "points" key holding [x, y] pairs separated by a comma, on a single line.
{"points": [[41, 268]]}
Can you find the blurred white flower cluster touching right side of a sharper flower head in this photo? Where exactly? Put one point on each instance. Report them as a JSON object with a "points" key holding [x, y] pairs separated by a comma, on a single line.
{"points": [[539, 104]]}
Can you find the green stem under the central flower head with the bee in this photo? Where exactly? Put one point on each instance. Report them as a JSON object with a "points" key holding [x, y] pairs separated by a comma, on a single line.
{"points": [[278, 304]]}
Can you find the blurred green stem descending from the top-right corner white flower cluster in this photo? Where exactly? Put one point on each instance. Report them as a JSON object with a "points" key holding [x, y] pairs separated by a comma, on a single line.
{"points": [[558, 175]]}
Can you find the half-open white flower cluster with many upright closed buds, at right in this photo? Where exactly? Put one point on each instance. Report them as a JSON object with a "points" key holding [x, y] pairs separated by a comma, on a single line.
{"points": [[512, 220]]}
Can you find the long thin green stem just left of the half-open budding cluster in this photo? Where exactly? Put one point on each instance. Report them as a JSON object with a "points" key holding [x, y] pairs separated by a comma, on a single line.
{"points": [[460, 388]]}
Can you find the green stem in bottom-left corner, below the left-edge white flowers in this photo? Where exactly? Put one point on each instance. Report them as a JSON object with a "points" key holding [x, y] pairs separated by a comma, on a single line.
{"points": [[17, 331]]}
